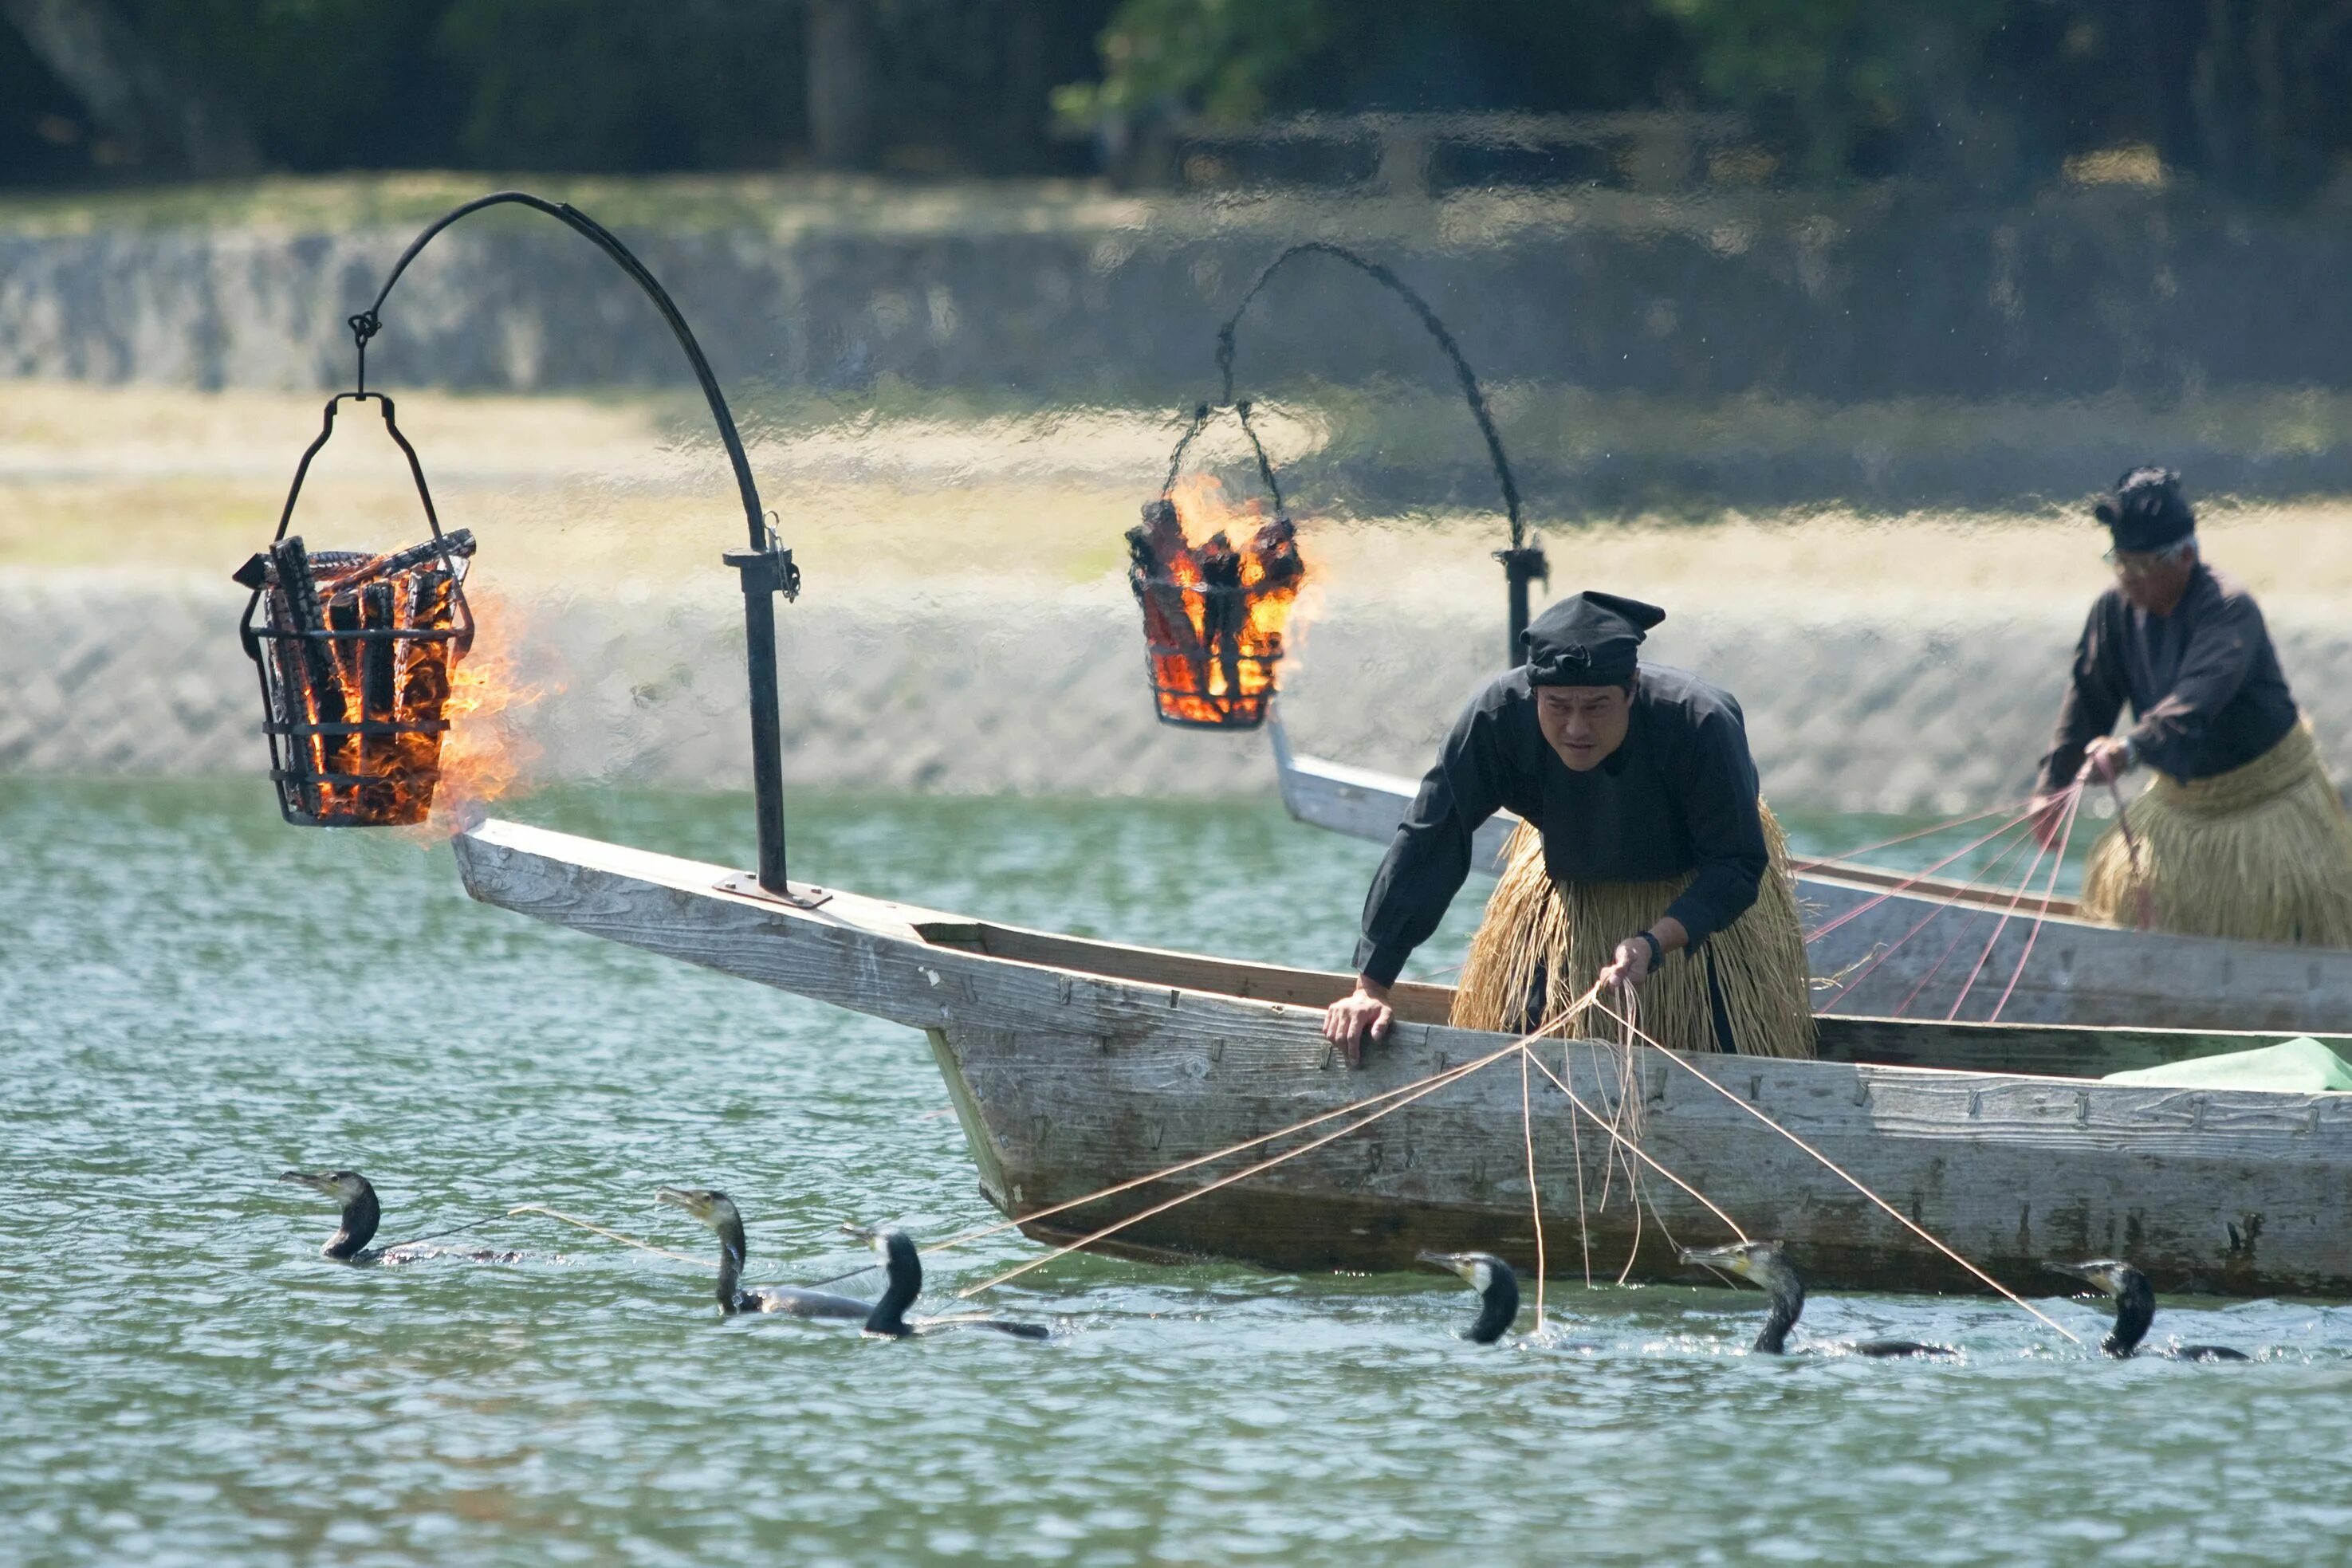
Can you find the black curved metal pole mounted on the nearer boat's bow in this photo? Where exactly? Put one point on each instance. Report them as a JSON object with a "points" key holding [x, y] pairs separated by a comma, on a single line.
{"points": [[766, 568]]}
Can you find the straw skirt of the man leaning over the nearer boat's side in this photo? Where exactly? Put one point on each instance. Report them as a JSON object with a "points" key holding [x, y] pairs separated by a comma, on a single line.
{"points": [[1544, 944]]}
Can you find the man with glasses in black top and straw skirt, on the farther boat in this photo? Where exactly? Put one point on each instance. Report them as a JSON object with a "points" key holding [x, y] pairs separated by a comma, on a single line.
{"points": [[2240, 833]]}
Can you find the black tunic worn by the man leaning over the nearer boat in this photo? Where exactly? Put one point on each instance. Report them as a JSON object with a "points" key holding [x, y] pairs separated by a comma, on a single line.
{"points": [[1678, 796]]}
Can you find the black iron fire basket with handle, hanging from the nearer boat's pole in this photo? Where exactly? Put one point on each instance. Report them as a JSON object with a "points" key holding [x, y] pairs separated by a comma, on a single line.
{"points": [[356, 655]]}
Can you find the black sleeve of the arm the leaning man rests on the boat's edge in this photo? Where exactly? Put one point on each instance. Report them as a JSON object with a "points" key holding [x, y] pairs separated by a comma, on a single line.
{"points": [[1431, 855]]}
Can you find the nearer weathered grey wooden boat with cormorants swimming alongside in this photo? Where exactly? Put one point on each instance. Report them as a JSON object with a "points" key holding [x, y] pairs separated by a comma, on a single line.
{"points": [[1081, 1064]]}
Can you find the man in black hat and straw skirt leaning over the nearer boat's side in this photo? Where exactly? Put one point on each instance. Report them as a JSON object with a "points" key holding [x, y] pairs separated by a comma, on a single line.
{"points": [[1645, 859]]}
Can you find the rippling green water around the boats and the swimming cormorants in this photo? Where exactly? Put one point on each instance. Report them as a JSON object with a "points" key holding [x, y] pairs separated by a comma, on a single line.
{"points": [[194, 998]]}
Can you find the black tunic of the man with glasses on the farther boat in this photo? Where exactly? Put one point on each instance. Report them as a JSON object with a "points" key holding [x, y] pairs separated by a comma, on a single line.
{"points": [[2203, 683]]}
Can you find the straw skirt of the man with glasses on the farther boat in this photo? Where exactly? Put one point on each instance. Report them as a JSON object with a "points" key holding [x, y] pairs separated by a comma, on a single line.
{"points": [[2261, 855]]}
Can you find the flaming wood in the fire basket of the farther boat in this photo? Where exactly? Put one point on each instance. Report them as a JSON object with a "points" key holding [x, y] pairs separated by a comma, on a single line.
{"points": [[1212, 612]]}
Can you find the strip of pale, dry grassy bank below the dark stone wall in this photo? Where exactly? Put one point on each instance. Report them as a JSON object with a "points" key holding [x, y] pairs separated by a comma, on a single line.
{"points": [[613, 495]]}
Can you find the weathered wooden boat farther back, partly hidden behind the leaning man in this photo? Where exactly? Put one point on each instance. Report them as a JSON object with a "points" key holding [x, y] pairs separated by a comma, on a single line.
{"points": [[1930, 949]]}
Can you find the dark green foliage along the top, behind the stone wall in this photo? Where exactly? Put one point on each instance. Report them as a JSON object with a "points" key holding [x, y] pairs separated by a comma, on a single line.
{"points": [[2245, 95]]}
